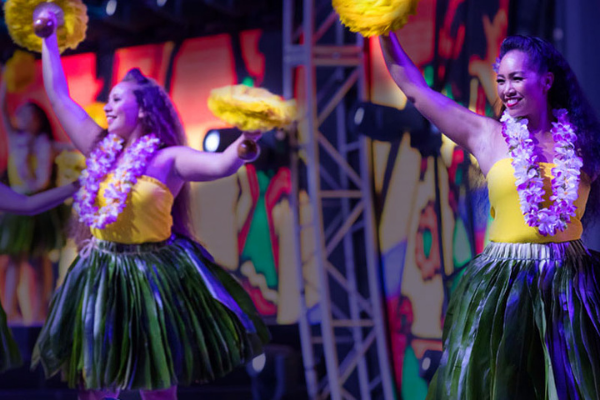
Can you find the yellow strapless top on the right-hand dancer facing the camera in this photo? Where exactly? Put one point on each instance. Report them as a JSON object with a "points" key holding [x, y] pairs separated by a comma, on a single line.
{"points": [[508, 224]]}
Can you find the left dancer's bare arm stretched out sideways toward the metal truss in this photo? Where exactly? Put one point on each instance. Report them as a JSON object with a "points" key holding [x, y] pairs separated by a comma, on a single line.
{"points": [[193, 165]]}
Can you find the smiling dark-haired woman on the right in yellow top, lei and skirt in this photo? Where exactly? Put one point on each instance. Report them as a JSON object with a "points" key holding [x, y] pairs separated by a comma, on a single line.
{"points": [[524, 322]]}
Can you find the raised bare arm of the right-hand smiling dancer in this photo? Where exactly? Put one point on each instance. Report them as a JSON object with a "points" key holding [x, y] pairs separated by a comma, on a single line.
{"points": [[464, 127]]}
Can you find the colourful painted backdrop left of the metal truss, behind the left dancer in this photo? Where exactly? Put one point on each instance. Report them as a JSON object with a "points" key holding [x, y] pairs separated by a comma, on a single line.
{"points": [[245, 220]]}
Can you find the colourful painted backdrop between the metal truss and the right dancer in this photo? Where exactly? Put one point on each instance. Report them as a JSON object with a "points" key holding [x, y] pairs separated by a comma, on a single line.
{"points": [[432, 206]]}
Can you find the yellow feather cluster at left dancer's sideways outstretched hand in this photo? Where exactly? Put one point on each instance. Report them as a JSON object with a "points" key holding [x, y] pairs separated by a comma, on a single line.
{"points": [[251, 109]]}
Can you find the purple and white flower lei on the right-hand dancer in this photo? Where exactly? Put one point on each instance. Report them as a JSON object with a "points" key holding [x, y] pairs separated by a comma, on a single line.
{"points": [[530, 183]]}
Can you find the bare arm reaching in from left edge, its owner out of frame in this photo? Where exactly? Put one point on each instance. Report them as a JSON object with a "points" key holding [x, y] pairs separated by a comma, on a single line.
{"points": [[13, 202]]}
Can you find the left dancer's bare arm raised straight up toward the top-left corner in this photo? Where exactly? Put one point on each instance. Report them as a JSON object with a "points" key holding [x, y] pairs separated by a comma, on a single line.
{"points": [[80, 127]]}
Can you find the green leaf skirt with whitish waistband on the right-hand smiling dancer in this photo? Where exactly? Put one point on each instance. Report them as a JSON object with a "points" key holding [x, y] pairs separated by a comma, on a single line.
{"points": [[524, 323]]}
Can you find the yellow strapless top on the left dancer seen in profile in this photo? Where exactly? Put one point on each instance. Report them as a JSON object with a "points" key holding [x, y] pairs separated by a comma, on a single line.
{"points": [[146, 216]]}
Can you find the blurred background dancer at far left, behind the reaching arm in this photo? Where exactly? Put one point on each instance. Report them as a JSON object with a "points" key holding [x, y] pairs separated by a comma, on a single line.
{"points": [[28, 240]]}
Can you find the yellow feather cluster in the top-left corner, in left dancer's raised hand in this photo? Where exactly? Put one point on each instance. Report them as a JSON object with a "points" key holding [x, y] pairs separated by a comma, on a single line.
{"points": [[19, 20]]}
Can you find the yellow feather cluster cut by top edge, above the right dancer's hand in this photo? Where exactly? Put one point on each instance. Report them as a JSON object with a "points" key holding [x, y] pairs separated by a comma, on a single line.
{"points": [[374, 17]]}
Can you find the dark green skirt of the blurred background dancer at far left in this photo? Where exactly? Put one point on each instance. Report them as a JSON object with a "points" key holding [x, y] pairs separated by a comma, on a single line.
{"points": [[35, 235]]}
